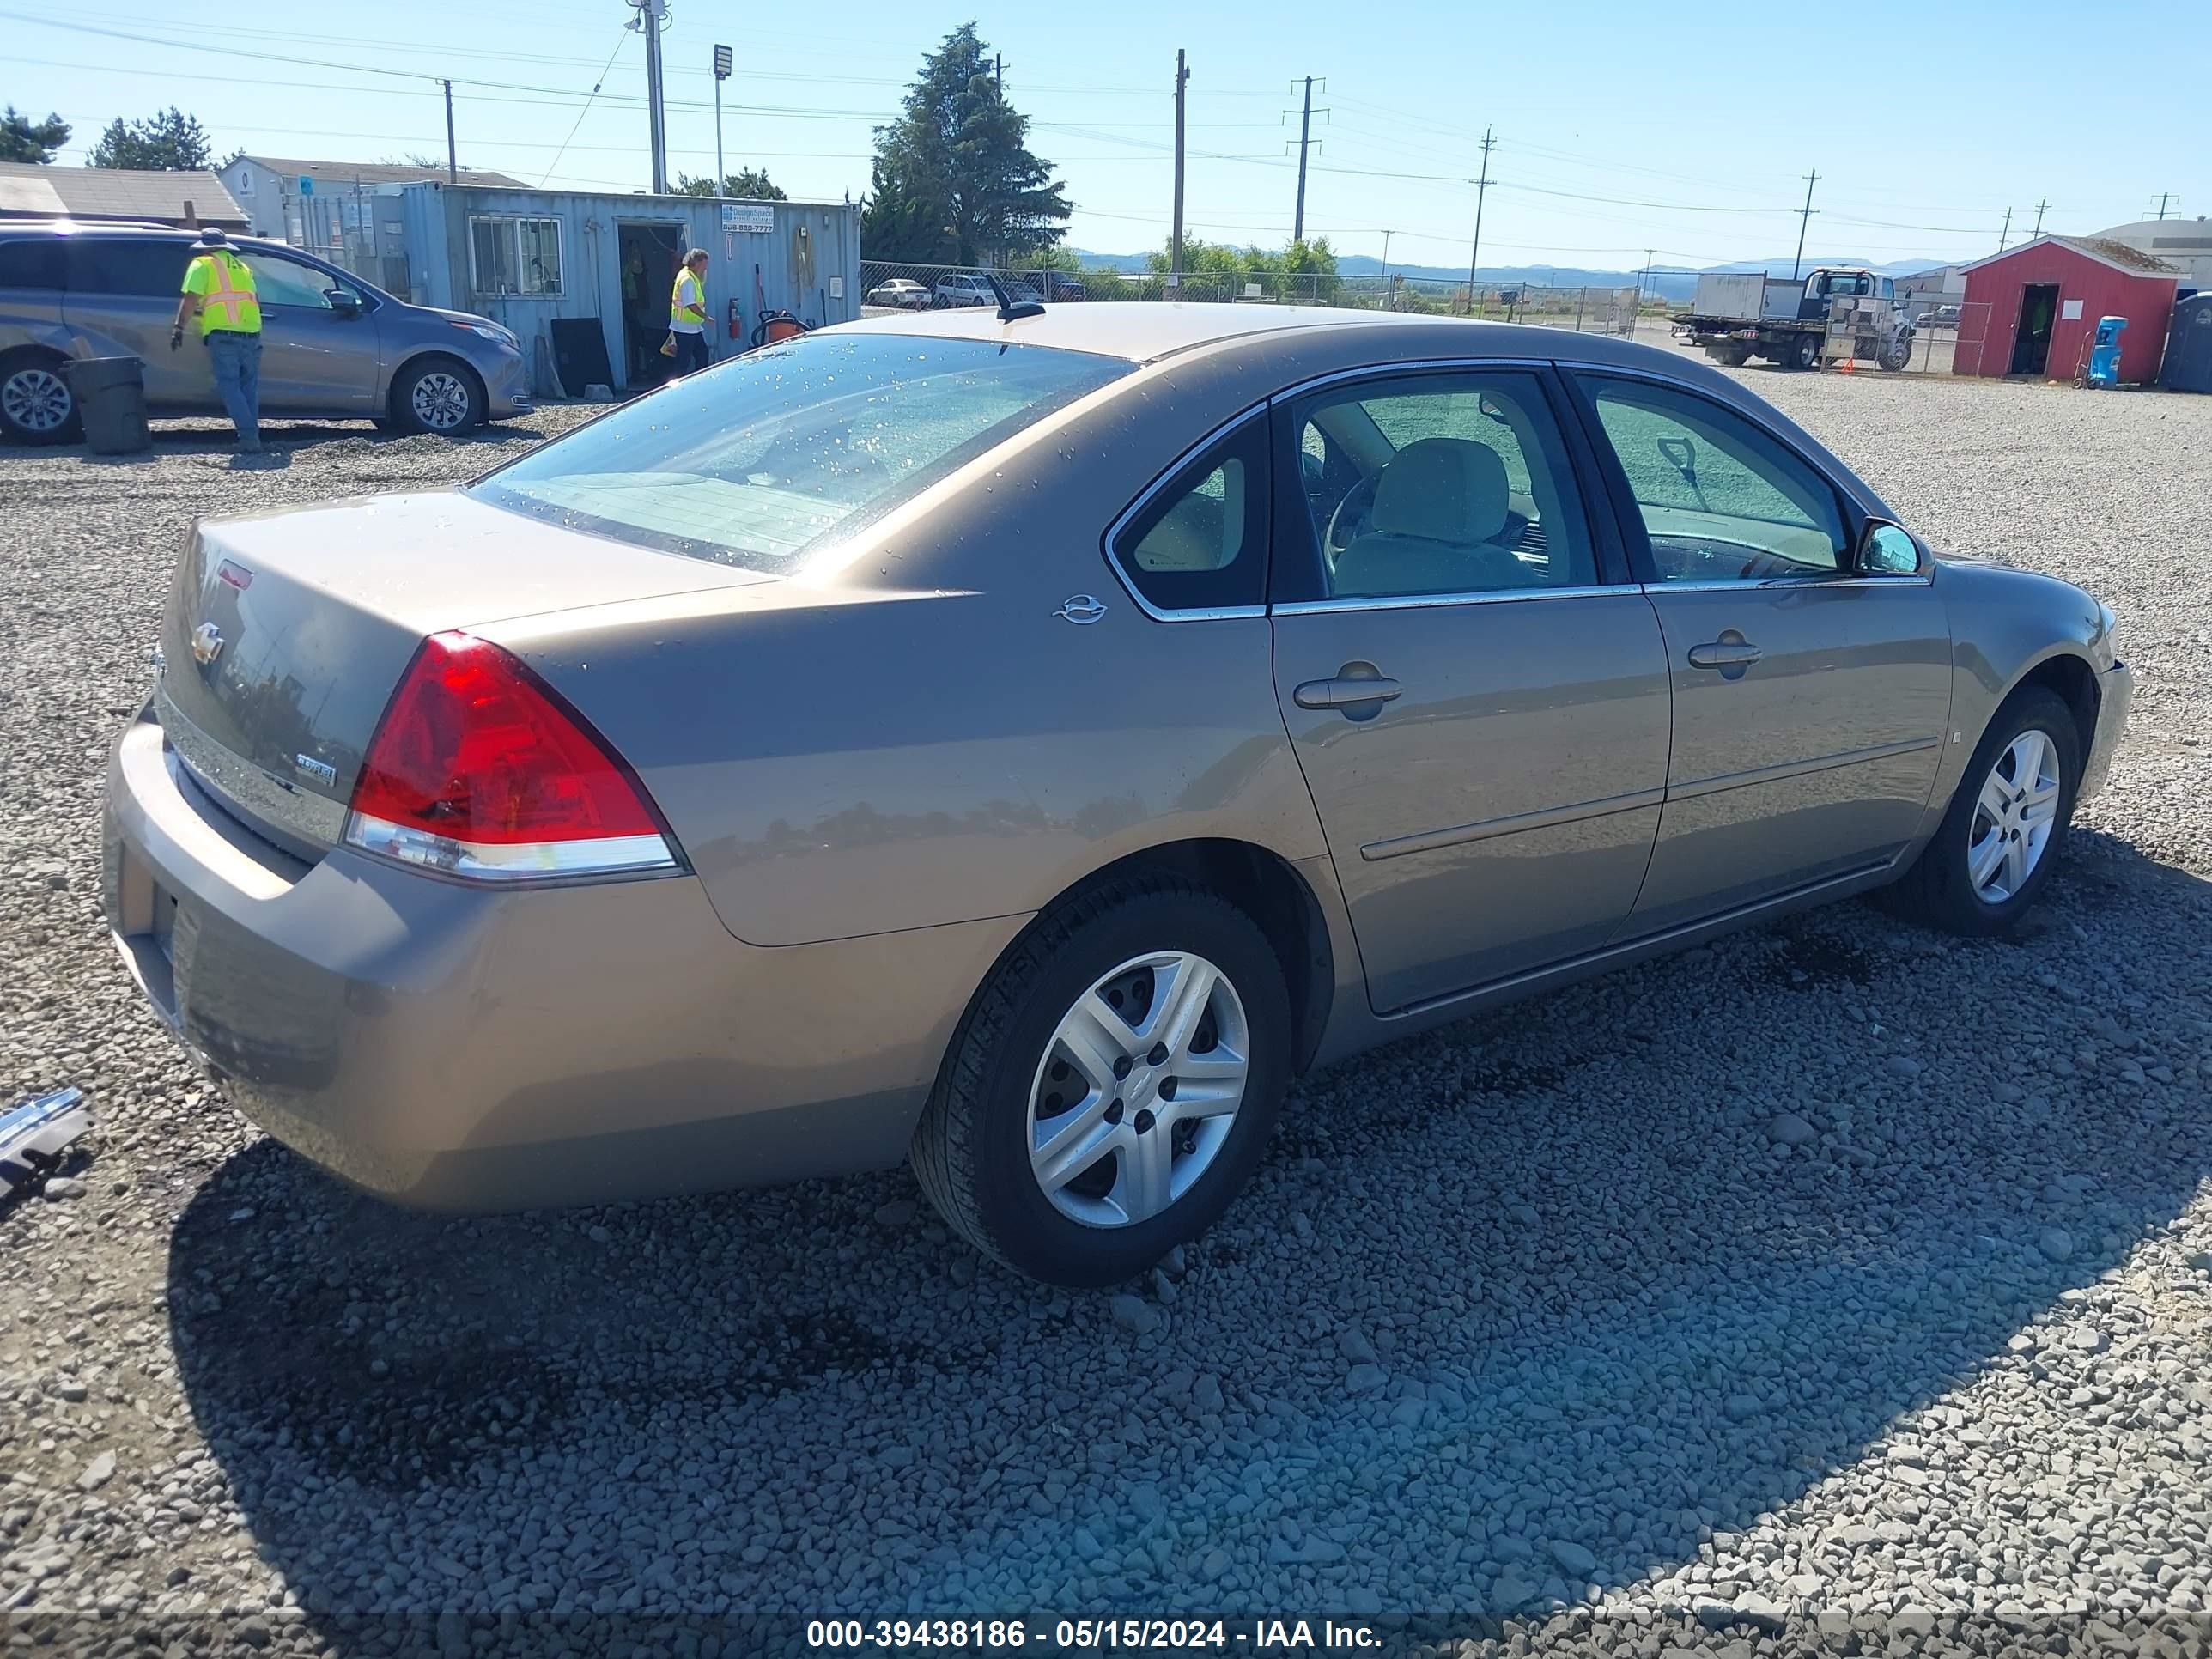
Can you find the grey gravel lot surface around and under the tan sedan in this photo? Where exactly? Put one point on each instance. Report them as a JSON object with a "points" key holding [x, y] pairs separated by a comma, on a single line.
{"points": [[1835, 1284]]}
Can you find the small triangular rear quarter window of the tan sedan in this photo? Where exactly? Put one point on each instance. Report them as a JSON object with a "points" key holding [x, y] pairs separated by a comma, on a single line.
{"points": [[1202, 541]]}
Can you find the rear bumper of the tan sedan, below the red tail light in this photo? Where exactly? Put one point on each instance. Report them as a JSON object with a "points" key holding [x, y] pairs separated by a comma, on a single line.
{"points": [[474, 1050]]}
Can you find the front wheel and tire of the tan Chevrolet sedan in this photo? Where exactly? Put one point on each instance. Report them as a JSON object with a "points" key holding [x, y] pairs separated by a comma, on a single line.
{"points": [[2007, 824]]}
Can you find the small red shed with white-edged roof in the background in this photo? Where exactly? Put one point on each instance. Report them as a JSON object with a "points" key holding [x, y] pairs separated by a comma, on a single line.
{"points": [[2034, 309]]}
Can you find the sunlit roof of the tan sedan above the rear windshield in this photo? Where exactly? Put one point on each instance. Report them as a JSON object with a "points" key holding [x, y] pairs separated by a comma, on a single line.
{"points": [[1149, 331]]}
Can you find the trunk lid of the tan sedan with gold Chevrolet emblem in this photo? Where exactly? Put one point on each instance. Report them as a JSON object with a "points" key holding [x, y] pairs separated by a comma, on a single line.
{"points": [[289, 632]]}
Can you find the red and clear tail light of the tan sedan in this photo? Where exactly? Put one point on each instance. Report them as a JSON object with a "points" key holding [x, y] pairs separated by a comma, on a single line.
{"points": [[479, 769]]}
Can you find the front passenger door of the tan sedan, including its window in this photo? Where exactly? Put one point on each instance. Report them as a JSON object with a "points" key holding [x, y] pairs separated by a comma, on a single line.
{"points": [[1811, 700]]}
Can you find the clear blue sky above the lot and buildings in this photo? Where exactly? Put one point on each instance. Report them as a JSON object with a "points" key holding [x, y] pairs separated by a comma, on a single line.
{"points": [[1618, 127]]}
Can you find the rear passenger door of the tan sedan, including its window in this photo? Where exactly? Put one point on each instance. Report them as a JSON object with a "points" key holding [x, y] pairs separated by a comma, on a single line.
{"points": [[1481, 716]]}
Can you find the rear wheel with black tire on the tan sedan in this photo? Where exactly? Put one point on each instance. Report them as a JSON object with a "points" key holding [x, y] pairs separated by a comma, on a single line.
{"points": [[1112, 1087]]}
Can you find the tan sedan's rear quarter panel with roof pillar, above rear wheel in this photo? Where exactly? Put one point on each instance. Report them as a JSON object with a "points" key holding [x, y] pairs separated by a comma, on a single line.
{"points": [[917, 738]]}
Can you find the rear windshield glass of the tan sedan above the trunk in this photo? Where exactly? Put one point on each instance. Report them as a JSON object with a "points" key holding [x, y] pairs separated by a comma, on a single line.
{"points": [[795, 448]]}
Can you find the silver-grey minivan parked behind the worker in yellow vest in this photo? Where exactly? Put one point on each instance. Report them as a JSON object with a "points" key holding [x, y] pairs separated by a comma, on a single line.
{"points": [[335, 348]]}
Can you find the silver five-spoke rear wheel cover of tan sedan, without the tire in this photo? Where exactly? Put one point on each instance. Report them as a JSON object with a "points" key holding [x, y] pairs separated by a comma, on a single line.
{"points": [[1138, 1089]]}
